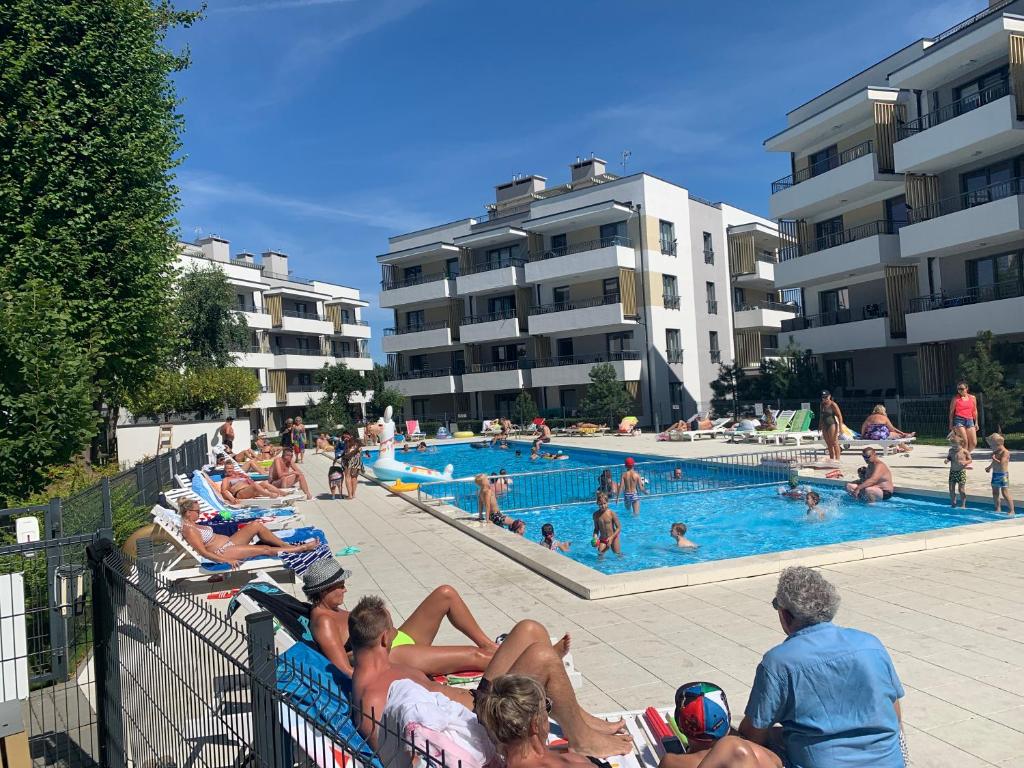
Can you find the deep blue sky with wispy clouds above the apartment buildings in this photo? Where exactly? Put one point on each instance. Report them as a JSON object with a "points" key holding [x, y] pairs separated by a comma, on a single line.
{"points": [[322, 127]]}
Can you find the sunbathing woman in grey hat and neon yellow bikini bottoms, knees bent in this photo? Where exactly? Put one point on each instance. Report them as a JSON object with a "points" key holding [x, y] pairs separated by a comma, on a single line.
{"points": [[324, 584]]}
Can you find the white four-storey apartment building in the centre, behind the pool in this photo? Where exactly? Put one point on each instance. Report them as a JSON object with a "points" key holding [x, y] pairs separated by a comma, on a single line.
{"points": [[630, 271]]}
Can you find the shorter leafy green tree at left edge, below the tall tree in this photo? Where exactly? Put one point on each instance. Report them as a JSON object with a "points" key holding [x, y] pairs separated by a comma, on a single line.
{"points": [[47, 389]]}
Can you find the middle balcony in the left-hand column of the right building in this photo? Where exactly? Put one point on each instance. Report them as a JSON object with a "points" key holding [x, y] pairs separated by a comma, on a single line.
{"points": [[860, 250]]}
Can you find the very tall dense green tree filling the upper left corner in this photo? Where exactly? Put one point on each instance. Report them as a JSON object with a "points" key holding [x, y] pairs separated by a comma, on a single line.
{"points": [[90, 135]]}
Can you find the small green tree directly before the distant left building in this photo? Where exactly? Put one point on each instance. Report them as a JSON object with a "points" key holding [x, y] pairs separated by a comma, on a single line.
{"points": [[210, 333]]}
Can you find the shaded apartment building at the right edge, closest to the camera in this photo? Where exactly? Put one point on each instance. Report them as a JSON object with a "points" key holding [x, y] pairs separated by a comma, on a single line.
{"points": [[904, 215]]}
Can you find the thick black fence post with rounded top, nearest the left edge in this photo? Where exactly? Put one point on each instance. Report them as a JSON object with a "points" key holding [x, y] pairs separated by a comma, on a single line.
{"points": [[105, 659]]}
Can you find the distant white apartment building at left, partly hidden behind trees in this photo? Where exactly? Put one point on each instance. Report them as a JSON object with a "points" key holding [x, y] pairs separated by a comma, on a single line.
{"points": [[296, 327]]}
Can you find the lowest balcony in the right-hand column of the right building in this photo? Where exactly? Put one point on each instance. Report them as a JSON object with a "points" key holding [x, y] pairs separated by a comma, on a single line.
{"points": [[997, 308]]}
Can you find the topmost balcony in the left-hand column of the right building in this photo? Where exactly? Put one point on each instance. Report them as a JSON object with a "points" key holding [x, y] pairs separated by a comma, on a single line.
{"points": [[851, 175]]}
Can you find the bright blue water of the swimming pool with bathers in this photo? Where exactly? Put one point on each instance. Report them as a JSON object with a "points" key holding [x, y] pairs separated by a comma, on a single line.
{"points": [[728, 524]]}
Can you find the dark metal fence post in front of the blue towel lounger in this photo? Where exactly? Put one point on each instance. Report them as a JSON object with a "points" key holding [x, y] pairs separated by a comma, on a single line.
{"points": [[268, 744]]}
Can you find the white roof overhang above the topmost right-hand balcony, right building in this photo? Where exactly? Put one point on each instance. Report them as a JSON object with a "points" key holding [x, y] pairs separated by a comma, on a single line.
{"points": [[945, 62]]}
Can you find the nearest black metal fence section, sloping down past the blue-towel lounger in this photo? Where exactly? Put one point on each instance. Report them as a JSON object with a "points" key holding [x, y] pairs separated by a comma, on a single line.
{"points": [[180, 684]]}
